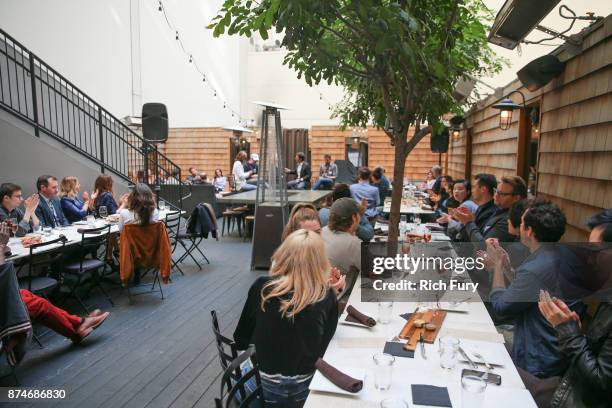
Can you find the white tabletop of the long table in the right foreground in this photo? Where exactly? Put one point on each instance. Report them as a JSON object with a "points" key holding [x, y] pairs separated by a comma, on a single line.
{"points": [[352, 348]]}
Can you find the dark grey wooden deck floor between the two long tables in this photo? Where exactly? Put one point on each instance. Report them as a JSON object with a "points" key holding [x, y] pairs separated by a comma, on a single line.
{"points": [[152, 353]]}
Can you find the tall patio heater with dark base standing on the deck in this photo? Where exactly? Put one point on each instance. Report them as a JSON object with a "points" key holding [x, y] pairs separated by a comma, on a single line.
{"points": [[271, 206]]}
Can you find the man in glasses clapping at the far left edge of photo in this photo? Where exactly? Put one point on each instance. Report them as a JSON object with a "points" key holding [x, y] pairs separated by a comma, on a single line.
{"points": [[10, 202]]}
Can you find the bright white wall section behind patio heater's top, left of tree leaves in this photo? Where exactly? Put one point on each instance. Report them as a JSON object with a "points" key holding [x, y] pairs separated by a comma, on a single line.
{"points": [[267, 79]]}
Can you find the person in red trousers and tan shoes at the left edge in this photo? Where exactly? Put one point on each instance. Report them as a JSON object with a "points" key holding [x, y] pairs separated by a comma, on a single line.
{"points": [[41, 310]]}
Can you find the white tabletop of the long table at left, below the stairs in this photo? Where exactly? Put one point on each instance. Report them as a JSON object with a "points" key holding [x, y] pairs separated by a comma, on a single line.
{"points": [[70, 232]]}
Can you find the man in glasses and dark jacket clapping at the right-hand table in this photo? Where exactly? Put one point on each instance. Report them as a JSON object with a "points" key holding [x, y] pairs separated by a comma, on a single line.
{"points": [[509, 190]]}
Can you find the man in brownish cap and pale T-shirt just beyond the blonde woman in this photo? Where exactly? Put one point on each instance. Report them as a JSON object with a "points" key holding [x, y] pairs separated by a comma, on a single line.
{"points": [[342, 246]]}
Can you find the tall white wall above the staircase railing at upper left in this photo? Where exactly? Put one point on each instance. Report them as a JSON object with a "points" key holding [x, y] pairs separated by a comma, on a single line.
{"points": [[88, 42]]}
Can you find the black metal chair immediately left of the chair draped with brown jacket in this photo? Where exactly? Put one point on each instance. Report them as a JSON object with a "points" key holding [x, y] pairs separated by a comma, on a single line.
{"points": [[94, 241]]}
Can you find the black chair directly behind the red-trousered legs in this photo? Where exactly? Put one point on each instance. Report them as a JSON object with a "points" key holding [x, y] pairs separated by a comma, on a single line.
{"points": [[40, 266]]}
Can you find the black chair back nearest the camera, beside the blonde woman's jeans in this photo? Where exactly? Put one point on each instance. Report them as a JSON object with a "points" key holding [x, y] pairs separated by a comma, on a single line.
{"points": [[228, 395]]}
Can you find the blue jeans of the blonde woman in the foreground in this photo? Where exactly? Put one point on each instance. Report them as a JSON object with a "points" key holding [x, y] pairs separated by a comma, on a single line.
{"points": [[285, 392]]}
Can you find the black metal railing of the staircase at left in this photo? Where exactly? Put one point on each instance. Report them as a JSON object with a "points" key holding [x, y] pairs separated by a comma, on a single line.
{"points": [[36, 93]]}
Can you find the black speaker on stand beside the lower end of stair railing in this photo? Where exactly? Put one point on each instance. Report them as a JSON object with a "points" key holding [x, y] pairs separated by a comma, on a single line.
{"points": [[154, 130]]}
